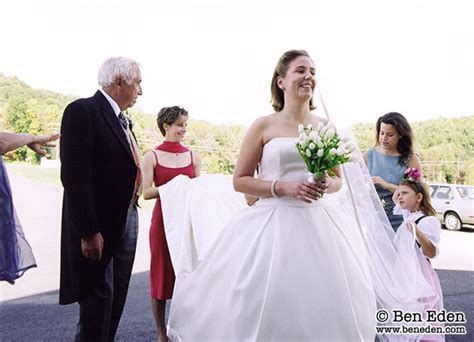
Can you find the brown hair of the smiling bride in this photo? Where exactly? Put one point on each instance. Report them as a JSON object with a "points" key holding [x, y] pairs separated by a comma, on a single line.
{"points": [[278, 98]]}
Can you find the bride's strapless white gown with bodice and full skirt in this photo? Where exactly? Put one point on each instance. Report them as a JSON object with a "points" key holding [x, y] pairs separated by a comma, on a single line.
{"points": [[280, 270]]}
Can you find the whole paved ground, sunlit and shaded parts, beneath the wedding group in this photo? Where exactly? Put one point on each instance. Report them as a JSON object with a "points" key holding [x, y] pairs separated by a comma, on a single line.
{"points": [[29, 309]]}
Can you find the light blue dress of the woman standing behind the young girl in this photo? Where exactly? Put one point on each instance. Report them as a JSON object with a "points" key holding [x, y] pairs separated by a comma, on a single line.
{"points": [[388, 168]]}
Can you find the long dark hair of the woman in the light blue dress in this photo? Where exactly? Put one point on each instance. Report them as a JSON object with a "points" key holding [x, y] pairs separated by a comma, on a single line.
{"points": [[405, 144]]}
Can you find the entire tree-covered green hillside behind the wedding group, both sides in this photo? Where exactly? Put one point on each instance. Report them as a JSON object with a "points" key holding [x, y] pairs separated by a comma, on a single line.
{"points": [[445, 146]]}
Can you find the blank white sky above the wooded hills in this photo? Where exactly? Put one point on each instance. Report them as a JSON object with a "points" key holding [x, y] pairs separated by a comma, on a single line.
{"points": [[216, 57]]}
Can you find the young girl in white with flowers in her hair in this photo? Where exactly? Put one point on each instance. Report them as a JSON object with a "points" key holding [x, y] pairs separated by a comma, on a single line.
{"points": [[413, 201]]}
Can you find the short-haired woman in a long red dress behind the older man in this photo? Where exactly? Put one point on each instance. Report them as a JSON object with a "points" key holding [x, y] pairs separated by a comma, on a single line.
{"points": [[161, 165]]}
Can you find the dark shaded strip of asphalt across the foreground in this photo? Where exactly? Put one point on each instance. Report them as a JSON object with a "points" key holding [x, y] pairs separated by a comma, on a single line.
{"points": [[40, 318]]}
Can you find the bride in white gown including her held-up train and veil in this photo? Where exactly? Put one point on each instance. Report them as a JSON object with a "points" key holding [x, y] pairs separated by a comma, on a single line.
{"points": [[297, 265]]}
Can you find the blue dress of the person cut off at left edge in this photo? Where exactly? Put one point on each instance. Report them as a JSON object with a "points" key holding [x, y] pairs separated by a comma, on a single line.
{"points": [[15, 252]]}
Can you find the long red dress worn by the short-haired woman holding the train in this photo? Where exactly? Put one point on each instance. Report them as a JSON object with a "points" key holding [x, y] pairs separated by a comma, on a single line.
{"points": [[161, 270]]}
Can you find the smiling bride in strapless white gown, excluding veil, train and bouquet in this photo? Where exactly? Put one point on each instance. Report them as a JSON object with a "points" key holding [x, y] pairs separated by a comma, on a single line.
{"points": [[283, 269]]}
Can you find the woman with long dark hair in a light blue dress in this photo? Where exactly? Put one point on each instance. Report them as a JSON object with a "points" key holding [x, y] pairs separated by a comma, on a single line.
{"points": [[389, 158]]}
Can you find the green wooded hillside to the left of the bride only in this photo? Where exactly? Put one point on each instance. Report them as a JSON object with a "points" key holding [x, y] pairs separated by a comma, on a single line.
{"points": [[23, 109]]}
